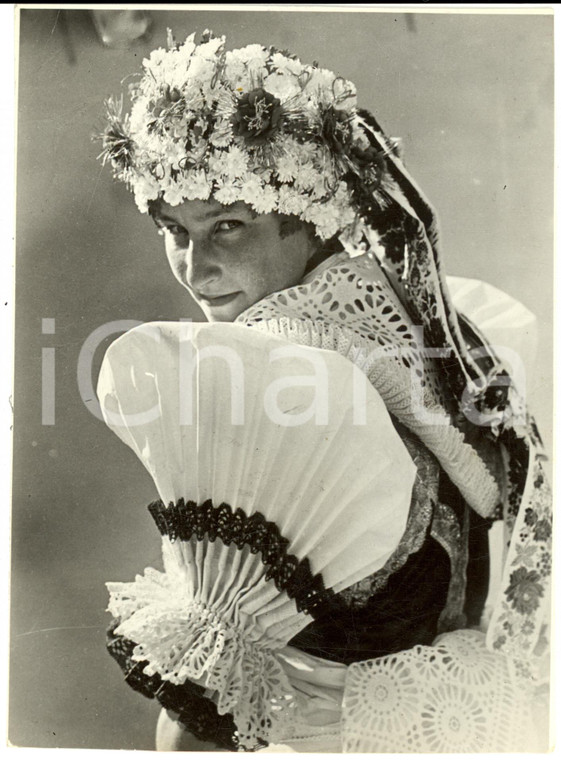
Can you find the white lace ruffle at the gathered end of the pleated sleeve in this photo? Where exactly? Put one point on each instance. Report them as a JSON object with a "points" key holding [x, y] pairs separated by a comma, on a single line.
{"points": [[191, 641]]}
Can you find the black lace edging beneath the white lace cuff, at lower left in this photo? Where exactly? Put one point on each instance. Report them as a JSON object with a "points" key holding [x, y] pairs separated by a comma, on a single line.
{"points": [[196, 712]]}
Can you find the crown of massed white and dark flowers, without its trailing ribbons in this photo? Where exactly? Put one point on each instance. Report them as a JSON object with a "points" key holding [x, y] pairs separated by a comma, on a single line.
{"points": [[253, 125]]}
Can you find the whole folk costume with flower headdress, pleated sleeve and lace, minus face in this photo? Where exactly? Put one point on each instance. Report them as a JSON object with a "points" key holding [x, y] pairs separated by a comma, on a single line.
{"points": [[308, 611]]}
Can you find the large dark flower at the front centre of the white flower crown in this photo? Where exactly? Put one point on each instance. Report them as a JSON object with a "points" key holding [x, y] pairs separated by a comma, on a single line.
{"points": [[258, 116]]}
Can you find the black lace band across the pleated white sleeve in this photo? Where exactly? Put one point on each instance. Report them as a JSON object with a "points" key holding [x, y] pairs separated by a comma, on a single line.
{"points": [[184, 520]]}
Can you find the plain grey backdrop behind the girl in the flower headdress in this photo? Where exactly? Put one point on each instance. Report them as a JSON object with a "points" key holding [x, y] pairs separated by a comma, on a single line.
{"points": [[470, 96]]}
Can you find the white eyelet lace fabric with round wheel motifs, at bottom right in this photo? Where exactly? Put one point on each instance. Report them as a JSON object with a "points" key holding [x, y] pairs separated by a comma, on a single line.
{"points": [[455, 696]]}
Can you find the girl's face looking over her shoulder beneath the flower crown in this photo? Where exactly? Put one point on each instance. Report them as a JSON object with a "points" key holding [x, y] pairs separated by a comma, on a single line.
{"points": [[228, 257]]}
